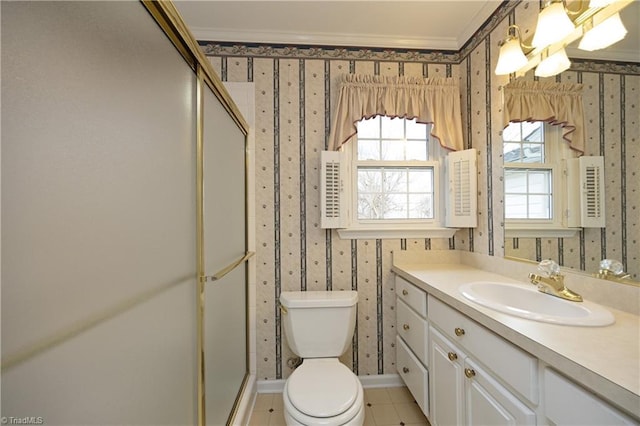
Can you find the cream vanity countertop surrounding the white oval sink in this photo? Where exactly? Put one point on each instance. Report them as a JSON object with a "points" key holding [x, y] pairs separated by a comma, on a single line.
{"points": [[605, 360]]}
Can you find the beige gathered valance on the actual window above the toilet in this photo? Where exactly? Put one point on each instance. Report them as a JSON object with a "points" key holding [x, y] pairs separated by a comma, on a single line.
{"points": [[429, 100]]}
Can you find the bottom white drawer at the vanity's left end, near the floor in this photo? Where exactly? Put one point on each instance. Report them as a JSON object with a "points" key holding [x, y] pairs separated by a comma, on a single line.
{"points": [[415, 376]]}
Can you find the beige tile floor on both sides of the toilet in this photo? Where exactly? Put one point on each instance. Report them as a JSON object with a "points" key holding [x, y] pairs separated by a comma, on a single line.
{"points": [[383, 407]]}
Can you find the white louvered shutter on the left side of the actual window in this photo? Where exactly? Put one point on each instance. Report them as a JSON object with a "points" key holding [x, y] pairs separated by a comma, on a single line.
{"points": [[332, 189]]}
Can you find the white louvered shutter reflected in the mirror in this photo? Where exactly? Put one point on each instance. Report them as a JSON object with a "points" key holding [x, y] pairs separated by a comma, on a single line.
{"points": [[586, 192]]}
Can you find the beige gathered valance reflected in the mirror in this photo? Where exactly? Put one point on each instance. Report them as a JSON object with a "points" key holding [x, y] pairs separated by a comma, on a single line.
{"points": [[554, 103]]}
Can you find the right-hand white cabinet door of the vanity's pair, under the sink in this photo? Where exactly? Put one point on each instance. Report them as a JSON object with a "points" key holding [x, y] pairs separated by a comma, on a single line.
{"points": [[489, 403]]}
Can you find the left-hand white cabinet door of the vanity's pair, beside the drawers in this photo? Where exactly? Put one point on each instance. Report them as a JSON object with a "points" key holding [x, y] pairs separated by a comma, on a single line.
{"points": [[446, 381]]}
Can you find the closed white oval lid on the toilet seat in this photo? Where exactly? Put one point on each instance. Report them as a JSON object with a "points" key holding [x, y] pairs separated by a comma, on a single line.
{"points": [[322, 389]]}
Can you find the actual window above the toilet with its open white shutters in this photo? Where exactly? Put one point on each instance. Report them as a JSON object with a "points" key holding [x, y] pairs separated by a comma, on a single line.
{"points": [[393, 183]]}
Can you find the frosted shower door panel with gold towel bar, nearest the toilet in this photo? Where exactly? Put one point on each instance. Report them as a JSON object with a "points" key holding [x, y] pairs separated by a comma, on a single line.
{"points": [[225, 254]]}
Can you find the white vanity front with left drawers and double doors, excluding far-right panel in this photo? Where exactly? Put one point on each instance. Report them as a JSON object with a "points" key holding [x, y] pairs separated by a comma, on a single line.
{"points": [[458, 371]]}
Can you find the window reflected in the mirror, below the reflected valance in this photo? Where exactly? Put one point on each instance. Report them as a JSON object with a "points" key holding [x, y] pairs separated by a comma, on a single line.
{"points": [[534, 176]]}
